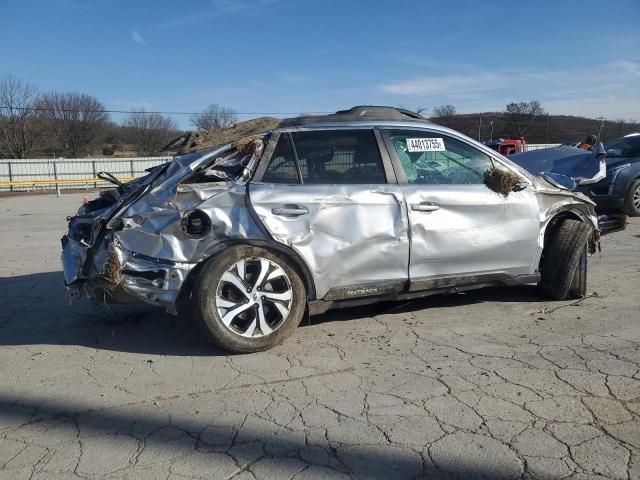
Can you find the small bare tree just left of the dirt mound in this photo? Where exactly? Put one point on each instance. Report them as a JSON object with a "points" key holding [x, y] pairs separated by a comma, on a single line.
{"points": [[149, 131]]}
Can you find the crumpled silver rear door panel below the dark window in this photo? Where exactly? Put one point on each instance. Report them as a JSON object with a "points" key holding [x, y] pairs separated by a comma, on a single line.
{"points": [[352, 234]]}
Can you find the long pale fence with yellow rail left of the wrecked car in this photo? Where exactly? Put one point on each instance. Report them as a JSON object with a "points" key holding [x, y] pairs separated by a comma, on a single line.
{"points": [[59, 174]]}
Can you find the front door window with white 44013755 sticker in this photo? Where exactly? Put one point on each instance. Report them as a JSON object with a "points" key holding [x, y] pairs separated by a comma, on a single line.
{"points": [[436, 159]]}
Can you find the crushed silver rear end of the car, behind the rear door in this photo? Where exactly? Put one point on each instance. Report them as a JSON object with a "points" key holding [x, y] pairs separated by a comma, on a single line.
{"points": [[144, 245]]}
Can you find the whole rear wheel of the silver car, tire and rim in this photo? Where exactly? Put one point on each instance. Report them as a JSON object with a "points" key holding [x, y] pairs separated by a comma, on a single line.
{"points": [[248, 299]]}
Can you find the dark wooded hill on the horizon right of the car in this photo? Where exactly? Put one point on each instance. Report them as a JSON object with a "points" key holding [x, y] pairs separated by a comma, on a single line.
{"points": [[543, 128]]}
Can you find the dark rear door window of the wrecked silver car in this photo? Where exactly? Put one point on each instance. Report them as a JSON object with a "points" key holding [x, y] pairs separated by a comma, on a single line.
{"points": [[339, 156]]}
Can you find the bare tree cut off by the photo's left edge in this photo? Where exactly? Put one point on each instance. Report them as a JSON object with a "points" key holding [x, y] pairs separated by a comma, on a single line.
{"points": [[19, 127]]}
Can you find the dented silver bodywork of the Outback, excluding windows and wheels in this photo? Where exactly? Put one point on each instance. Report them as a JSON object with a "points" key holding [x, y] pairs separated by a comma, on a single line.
{"points": [[348, 241]]}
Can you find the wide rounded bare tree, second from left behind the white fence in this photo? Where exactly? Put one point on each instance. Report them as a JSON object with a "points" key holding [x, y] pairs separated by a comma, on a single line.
{"points": [[75, 120]]}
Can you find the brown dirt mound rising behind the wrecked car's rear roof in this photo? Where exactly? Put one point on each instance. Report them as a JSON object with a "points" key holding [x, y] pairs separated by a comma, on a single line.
{"points": [[194, 141]]}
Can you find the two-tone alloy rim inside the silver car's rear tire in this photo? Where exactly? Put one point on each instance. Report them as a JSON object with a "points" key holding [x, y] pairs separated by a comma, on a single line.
{"points": [[253, 297]]}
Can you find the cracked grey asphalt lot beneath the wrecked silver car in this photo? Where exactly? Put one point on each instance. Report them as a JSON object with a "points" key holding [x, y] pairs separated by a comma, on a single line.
{"points": [[495, 383]]}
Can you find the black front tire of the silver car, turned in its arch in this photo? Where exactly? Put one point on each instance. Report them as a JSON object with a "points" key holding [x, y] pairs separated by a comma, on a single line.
{"points": [[563, 255]]}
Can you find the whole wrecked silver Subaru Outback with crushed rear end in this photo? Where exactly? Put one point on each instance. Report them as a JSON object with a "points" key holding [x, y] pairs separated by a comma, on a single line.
{"points": [[368, 204]]}
